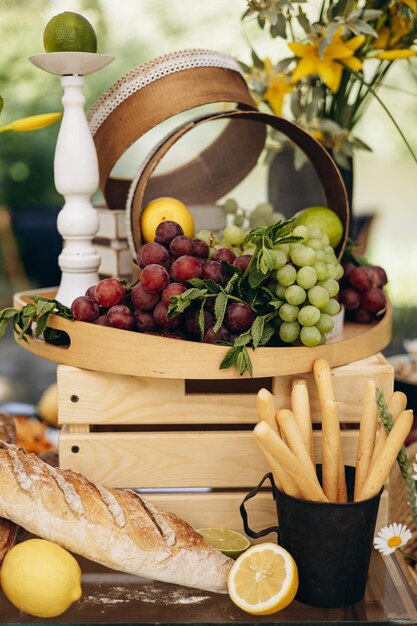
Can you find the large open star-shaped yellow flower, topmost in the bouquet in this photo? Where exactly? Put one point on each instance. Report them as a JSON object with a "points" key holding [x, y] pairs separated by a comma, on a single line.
{"points": [[330, 66]]}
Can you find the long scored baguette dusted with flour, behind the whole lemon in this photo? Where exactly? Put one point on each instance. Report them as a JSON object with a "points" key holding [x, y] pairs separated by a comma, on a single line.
{"points": [[114, 527]]}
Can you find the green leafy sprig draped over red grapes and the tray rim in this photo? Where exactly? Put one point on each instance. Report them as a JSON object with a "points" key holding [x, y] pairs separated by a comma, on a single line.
{"points": [[246, 287]]}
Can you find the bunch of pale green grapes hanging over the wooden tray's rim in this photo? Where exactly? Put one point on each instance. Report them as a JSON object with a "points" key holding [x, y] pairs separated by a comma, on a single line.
{"points": [[301, 275]]}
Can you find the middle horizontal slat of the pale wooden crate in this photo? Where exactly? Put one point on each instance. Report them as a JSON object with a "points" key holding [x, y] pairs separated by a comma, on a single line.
{"points": [[179, 459]]}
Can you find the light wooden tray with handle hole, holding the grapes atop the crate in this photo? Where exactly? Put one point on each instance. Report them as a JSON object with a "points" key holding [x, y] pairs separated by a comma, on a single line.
{"points": [[117, 351]]}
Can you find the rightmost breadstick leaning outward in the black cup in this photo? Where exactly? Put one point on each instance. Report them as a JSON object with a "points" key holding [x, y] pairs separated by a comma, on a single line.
{"points": [[383, 464]]}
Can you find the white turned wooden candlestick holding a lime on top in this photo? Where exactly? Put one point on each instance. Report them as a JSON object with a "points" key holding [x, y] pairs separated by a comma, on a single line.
{"points": [[76, 173]]}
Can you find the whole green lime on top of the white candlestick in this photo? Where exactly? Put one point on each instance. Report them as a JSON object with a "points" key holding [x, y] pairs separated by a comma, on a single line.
{"points": [[69, 32]]}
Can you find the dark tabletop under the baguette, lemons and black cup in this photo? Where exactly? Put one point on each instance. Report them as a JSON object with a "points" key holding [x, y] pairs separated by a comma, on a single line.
{"points": [[115, 598]]}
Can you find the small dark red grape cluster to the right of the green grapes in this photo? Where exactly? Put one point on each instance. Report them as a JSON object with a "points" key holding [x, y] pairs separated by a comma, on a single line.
{"points": [[362, 292]]}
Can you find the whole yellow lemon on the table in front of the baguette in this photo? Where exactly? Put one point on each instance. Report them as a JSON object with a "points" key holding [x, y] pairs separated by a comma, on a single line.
{"points": [[40, 578]]}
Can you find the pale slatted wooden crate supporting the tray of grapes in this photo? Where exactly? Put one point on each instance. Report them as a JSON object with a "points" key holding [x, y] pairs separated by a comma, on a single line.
{"points": [[190, 443]]}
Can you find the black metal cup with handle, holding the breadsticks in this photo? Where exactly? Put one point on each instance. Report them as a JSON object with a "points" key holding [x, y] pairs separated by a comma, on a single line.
{"points": [[331, 543]]}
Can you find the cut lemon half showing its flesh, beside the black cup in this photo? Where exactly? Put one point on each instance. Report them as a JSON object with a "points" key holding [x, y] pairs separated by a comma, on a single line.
{"points": [[263, 580]]}
